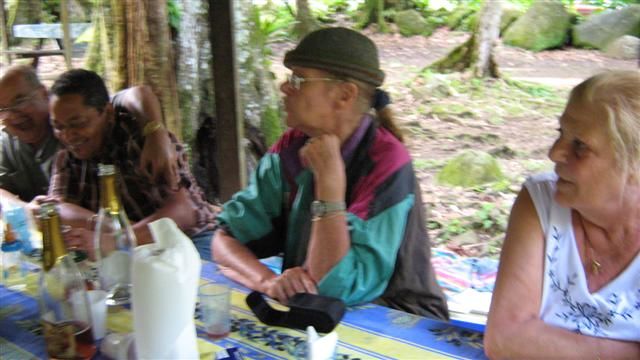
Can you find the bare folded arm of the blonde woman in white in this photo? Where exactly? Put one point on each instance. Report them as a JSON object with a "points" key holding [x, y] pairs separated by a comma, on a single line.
{"points": [[514, 328]]}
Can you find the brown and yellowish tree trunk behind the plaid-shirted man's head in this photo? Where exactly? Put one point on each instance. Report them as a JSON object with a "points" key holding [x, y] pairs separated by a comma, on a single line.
{"points": [[140, 52]]}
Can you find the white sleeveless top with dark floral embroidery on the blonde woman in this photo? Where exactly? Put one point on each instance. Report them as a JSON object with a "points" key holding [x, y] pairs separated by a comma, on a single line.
{"points": [[613, 311]]}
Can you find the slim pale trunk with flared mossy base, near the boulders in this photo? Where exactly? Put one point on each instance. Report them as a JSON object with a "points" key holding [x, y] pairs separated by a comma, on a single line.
{"points": [[476, 54]]}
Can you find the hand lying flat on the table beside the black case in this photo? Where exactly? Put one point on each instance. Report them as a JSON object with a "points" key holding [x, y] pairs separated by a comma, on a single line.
{"points": [[290, 282]]}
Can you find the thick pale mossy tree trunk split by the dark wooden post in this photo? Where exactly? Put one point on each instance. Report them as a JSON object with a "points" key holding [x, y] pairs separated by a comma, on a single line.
{"points": [[259, 96]]}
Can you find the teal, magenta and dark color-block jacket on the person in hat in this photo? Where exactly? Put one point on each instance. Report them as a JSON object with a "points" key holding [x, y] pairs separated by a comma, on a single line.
{"points": [[389, 258]]}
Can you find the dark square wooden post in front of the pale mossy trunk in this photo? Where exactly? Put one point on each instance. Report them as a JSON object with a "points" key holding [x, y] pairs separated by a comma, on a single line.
{"points": [[230, 158]]}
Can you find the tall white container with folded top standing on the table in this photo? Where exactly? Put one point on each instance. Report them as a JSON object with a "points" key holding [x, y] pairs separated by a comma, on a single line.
{"points": [[165, 285]]}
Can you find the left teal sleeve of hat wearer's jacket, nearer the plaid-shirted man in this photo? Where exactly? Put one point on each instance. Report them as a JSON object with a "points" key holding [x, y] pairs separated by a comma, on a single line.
{"points": [[249, 213]]}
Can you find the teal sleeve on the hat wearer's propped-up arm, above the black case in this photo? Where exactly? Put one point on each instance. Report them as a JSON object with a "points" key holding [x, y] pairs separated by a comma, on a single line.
{"points": [[363, 273]]}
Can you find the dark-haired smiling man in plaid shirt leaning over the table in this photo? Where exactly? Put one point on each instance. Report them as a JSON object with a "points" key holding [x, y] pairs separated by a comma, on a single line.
{"points": [[95, 130]]}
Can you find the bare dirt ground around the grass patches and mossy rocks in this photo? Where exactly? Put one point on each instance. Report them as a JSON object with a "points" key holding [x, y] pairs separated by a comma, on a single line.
{"points": [[527, 138]]}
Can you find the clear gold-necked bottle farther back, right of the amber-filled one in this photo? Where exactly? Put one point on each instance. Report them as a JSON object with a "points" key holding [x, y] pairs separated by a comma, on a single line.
{"points": [[114, 240]]}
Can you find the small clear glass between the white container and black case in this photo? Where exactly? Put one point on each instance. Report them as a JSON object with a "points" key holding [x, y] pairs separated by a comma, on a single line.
{"points": [[215, 308]]}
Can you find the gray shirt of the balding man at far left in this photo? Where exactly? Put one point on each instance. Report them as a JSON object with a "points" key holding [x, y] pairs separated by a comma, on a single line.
{"points": [[25, 170]]}
